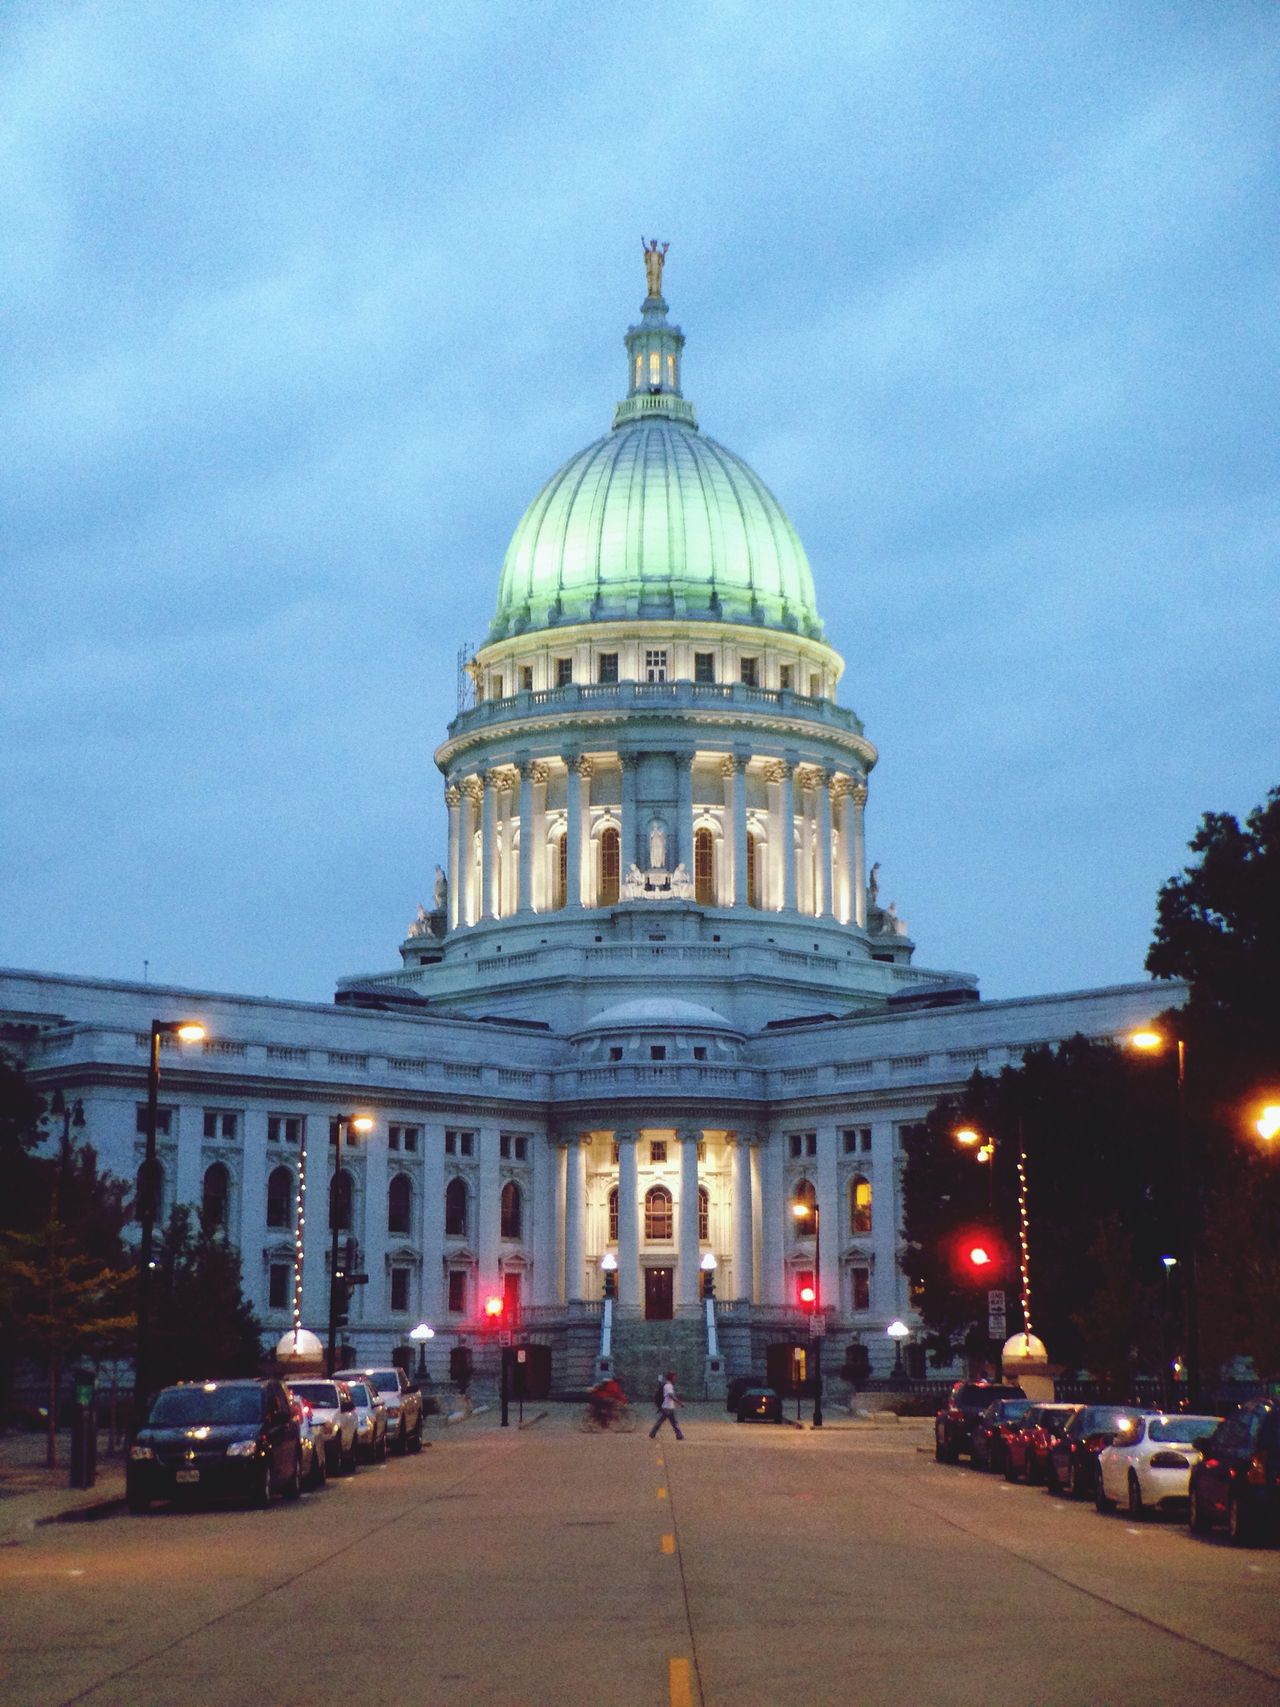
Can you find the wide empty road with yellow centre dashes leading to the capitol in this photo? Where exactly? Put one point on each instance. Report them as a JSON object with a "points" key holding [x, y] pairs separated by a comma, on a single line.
{"points": [[745, 1566]]}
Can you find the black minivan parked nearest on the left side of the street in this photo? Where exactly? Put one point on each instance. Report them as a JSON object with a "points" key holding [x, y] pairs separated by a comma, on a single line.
{"points": [[216, 1438]]}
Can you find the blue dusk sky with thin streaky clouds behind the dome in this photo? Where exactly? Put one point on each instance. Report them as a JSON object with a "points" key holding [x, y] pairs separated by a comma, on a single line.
{"points": [[301, 305]]}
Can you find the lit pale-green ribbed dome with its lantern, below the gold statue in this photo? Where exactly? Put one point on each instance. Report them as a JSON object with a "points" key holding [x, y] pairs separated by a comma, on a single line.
{"points": [[655, 520]]}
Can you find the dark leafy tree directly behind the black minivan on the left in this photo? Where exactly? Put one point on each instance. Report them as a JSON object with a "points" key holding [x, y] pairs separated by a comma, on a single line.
{"points": [[202, 1324]]}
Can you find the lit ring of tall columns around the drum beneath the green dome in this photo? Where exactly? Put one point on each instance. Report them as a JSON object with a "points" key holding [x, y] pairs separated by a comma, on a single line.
{"points": [[511, 854]]}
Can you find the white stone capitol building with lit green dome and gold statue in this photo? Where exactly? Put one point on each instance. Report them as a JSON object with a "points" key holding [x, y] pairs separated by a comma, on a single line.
{"points": [[658, 999]]}
